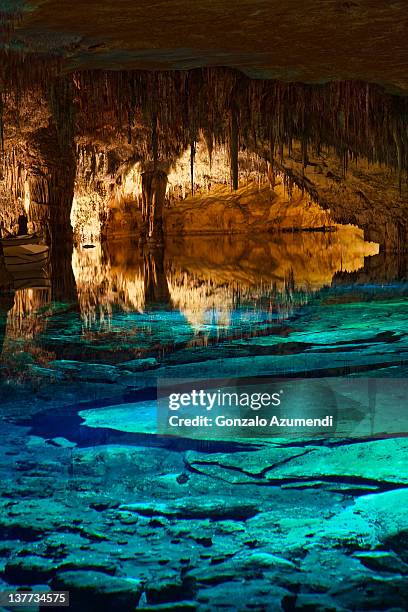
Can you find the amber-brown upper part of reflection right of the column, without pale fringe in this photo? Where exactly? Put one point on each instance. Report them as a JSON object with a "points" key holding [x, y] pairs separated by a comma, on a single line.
{"points": [[314, 258]]}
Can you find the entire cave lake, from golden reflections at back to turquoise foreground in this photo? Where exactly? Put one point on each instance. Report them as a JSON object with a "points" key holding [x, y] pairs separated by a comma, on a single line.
{"points": [[93, 501]]}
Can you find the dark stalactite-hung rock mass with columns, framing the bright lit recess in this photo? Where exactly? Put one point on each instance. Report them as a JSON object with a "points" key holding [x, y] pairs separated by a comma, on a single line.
{"points": [[343, 144]]}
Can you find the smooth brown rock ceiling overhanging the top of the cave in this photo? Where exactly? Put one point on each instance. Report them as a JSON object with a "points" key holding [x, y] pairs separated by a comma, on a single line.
{"points": [[309, 41]]}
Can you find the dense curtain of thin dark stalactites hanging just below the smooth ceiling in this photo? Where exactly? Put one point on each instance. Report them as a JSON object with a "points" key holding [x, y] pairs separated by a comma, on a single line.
{"points": [[338, 115]]}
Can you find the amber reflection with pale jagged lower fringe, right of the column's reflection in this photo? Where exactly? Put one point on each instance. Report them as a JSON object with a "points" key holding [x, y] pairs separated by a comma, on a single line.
{"points": [[209, 278]]}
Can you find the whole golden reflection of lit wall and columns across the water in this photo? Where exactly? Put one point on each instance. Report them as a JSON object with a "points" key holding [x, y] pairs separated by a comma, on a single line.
{"points": [[205, 278]]}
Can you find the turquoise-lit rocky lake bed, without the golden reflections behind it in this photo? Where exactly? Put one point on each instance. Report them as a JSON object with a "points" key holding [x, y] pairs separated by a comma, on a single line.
{"points": [[125, 520]]}
